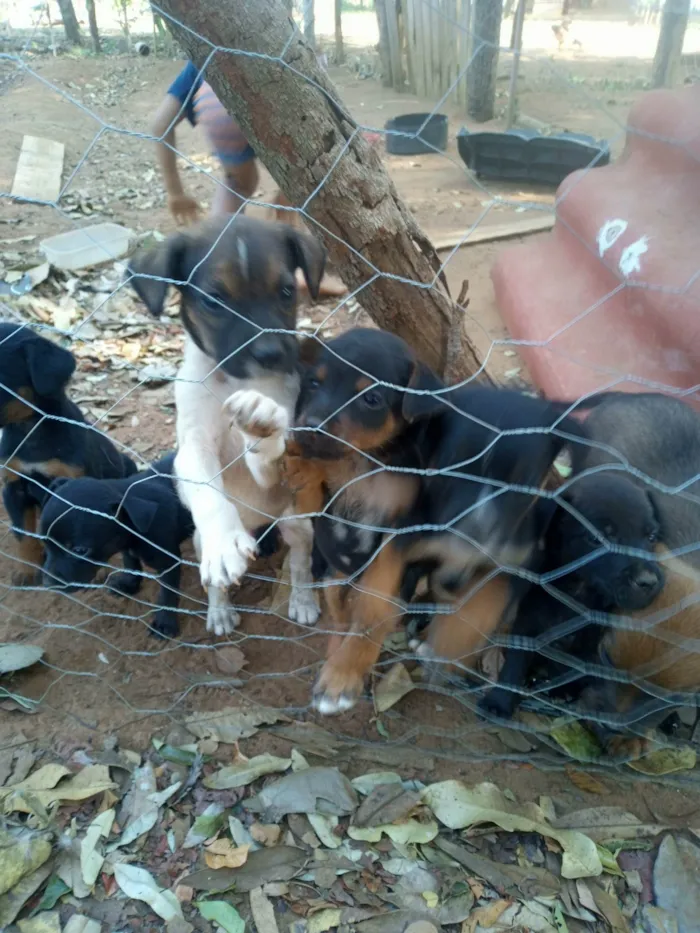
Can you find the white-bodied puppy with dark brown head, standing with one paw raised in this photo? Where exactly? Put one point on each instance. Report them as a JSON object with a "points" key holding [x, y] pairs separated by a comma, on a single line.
{"points": [[236, 390]]}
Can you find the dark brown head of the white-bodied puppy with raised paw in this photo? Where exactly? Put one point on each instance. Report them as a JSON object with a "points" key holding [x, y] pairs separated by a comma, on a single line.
{"points": [[238, 287]]}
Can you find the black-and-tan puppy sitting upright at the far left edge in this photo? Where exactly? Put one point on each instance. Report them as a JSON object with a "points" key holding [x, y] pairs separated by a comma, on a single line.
{"points": [[44, 436]]}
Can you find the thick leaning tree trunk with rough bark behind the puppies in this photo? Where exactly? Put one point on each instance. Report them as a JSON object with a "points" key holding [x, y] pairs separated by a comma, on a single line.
{"points": [[313, 149]]}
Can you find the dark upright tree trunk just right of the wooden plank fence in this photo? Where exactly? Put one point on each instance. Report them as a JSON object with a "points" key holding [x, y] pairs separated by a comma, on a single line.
{"points": [[481, 80]]}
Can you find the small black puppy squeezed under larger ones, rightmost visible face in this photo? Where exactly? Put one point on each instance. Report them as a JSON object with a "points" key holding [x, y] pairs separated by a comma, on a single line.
{"points": [[616, 514]]}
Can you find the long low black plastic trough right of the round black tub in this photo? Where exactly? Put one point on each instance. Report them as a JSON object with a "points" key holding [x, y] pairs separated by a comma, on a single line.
{"points": [[526, 155]]}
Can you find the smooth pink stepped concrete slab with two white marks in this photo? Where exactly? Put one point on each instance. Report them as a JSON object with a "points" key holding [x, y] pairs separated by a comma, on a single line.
{"points": [[597, 305]]}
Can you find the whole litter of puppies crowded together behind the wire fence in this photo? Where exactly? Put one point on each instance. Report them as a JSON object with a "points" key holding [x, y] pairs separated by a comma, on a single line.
{"points": [[403, 501]]}
